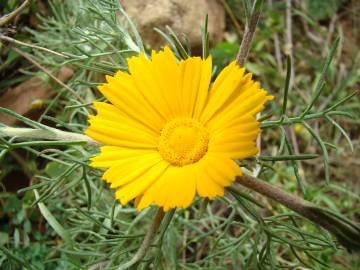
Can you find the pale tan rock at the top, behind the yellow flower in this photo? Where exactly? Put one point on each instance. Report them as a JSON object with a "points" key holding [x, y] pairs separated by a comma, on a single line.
{"points": [[183, 16]]}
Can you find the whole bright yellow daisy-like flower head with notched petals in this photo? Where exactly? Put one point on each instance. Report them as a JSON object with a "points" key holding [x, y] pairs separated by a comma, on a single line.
{"points": [[168, 134]]}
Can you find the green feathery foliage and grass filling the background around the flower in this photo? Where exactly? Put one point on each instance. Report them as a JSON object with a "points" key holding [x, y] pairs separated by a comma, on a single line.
{"points": [[55, 213]]}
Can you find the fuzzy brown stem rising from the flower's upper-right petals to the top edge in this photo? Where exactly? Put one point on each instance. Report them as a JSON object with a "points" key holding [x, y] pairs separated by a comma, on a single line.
{"points": [[249, 33]]}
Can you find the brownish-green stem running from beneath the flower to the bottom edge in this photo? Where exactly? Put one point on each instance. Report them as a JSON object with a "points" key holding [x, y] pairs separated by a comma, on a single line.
{"points": [[149, 237]]}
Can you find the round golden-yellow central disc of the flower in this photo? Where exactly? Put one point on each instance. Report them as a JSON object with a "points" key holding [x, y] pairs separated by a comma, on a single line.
{"points": [[183, 141]]}
